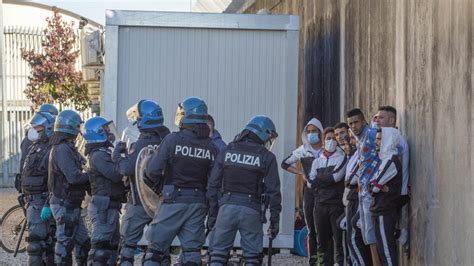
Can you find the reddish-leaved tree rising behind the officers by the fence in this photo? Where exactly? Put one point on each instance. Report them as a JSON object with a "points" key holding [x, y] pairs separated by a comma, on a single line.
{"points": [[53, 77]]}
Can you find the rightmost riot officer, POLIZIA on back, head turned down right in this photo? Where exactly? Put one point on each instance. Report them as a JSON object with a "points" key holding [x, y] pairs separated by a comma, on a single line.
{"points": [[244, 179]]}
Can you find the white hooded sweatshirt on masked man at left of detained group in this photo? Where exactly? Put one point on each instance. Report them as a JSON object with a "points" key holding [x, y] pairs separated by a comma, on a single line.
{"points": [[304, 153]]}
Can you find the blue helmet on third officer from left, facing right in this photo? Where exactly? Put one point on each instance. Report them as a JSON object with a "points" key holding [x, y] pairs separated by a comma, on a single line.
{"points": [[99, 129]]}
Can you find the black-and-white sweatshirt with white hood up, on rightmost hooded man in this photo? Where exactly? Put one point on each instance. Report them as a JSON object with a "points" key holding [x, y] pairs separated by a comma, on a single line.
{"points": [[389, 174]]}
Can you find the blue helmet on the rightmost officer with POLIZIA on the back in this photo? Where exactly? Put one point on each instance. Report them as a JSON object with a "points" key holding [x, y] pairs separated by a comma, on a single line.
{"points": [[263, 127]]}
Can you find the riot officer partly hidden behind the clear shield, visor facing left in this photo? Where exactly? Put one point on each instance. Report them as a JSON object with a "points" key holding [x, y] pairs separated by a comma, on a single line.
{"points": [[148, 117]]}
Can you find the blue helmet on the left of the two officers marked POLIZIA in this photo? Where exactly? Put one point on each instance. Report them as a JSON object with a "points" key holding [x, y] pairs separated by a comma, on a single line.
{"points": [[192, 110]]}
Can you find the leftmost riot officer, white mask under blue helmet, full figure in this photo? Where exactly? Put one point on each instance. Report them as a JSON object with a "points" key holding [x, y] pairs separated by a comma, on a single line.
{"points": [[34, 186]]}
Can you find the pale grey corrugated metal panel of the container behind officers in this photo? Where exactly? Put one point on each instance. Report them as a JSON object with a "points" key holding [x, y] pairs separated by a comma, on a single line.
{"points": [[238, 73]]}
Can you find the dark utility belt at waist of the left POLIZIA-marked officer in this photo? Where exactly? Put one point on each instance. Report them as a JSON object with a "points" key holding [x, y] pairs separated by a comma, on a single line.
{"points": [[173, 194]]}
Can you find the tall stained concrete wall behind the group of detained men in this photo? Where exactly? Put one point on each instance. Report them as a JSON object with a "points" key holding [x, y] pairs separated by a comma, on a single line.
{"points": [[416, 55]]}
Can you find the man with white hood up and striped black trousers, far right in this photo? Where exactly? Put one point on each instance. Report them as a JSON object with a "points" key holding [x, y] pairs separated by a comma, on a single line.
{"points": [[386, 188]]}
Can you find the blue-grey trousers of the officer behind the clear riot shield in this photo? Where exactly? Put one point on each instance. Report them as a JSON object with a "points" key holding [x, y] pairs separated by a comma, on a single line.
{"points": [[131, 231]]}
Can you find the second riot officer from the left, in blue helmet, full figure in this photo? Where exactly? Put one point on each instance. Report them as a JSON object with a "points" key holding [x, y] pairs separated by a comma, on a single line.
{"points": [[68, 183]]}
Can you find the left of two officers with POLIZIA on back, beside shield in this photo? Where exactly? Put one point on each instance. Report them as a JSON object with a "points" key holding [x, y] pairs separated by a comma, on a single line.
{"points": [[183, 163]]}
